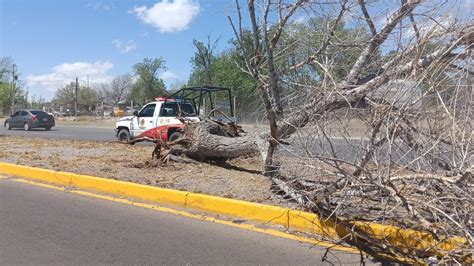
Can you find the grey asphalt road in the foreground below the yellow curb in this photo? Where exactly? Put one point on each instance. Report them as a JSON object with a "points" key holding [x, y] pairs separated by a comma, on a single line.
{"points": [[45, 226]]}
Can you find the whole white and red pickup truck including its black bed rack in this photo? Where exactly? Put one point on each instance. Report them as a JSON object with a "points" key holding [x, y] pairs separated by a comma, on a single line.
{"points": [[158, 120]]}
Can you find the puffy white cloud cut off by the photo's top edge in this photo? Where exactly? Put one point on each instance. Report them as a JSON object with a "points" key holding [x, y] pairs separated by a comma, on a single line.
{"points": [[168, 16]]}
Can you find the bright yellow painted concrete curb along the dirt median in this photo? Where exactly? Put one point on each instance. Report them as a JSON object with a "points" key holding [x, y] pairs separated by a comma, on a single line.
{"points": [[406, 241]]}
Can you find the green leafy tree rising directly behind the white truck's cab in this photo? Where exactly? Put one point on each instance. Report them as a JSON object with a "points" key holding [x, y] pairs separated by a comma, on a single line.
{"points": [[148, 85]]}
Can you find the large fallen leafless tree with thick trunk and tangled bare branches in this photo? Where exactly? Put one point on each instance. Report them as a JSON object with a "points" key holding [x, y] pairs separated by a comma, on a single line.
{"points": [[411, 162]]}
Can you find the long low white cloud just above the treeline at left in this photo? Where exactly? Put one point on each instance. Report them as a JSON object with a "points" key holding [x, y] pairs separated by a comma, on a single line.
{"points": [[66, 73]]}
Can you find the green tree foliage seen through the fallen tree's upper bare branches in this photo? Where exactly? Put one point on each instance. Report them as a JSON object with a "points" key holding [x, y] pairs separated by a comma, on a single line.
{"points": [[300, 42]]}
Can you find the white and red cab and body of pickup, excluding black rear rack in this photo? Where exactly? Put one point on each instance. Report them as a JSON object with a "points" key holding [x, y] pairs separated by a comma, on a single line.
{"points": [[156, 120]]}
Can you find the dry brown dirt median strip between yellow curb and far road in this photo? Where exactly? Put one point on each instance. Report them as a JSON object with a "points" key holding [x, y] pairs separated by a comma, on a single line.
{"points": [[239, 179]]}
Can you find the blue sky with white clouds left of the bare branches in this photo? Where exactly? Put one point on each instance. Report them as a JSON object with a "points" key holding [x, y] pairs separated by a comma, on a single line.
{"points": [[52, 41]]}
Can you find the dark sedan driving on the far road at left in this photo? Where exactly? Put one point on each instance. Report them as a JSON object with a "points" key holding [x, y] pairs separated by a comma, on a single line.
{"points": [[28, 119]]}
